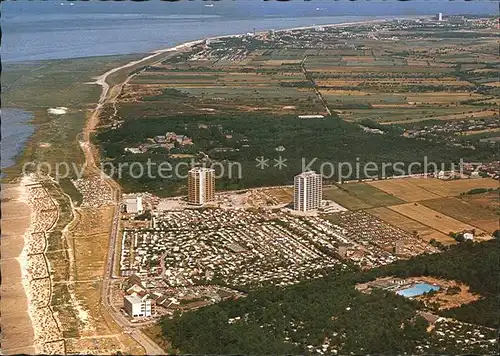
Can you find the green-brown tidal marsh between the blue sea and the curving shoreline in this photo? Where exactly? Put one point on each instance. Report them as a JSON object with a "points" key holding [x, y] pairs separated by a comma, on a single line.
{"points": [[38, 86]]}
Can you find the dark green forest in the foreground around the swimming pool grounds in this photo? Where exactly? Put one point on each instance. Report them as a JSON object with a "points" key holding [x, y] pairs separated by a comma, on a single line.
{"points": [[287, 320]]}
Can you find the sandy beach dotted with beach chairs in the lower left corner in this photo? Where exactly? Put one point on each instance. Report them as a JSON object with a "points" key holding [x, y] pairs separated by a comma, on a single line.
{"points": [[39, 325]]}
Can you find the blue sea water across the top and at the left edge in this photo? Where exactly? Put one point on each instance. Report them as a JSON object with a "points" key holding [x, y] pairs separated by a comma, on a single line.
{"points": [[60, 29]]}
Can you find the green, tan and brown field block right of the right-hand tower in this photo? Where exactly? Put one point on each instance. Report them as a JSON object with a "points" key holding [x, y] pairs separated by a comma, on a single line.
{"points": [[426, 207]]}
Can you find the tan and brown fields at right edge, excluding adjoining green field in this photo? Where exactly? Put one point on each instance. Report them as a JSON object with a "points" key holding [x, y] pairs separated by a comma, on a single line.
{"points": [[436, 207]]}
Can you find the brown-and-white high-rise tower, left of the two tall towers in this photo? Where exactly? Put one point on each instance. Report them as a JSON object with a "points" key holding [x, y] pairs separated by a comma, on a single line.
{"points": [[201, 185]]}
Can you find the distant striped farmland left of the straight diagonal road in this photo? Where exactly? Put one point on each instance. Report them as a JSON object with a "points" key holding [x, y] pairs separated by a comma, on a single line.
{"points": [[217, 84]]}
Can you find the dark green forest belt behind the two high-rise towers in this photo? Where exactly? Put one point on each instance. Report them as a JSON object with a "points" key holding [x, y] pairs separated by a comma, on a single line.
{"points": [[328, 142]]}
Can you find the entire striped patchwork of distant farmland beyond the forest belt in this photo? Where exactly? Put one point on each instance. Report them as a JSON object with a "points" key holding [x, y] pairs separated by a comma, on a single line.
{"points": [[379, 78]]}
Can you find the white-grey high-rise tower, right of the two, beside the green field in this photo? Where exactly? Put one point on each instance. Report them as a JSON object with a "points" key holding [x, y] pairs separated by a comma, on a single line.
{"points": [[307, 191]]}
